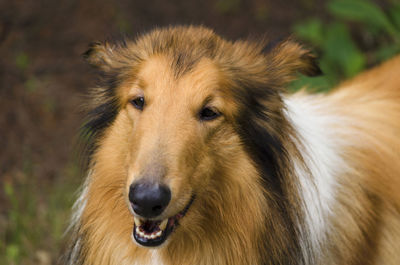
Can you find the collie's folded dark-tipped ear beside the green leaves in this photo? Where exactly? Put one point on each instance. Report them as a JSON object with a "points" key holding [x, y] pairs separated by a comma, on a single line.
{"points": [[288, 58]]}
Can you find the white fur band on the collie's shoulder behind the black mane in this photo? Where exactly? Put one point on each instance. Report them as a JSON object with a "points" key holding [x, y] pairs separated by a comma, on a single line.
{"points": [[318, 129]]}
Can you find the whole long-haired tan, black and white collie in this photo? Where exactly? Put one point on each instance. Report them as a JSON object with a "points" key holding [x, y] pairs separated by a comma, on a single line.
{"points": [[199, 156]]}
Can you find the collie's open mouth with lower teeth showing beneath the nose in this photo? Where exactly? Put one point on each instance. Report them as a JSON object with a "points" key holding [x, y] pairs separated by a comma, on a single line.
{"points": [[152, 233]]}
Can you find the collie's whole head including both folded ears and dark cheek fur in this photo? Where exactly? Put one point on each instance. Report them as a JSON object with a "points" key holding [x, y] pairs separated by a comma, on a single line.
{"points": [[176, 114]]}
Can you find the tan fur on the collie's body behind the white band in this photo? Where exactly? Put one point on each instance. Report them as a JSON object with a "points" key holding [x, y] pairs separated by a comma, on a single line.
{"points": [[369, 212]]}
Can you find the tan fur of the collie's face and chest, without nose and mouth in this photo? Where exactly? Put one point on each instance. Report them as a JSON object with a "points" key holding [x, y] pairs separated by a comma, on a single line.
{"points": [[170, 141]]}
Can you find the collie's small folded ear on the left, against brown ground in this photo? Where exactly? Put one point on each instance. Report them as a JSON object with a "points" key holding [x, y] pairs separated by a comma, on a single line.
{"points": [[100, 55]]}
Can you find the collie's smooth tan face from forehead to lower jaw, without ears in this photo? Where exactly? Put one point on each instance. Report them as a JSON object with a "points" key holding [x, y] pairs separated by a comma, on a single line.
{"points": [[176, 125]]}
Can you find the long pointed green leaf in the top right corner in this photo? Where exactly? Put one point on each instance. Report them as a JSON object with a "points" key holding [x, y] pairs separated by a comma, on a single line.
{"points": [[362, 11]]}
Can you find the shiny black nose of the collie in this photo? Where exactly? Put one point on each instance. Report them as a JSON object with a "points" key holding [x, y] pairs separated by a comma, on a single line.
{"points": [[149, 199]]}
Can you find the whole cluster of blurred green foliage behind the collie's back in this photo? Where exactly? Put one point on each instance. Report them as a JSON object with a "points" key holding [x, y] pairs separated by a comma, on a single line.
{"points": [[342, 55]]}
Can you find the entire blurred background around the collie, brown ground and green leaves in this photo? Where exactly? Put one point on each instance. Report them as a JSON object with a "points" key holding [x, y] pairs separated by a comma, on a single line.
{"points": [[43, 83]]}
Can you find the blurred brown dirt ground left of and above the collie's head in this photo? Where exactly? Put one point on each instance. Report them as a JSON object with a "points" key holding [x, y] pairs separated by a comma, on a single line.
{"points": [[43, 80]]}
